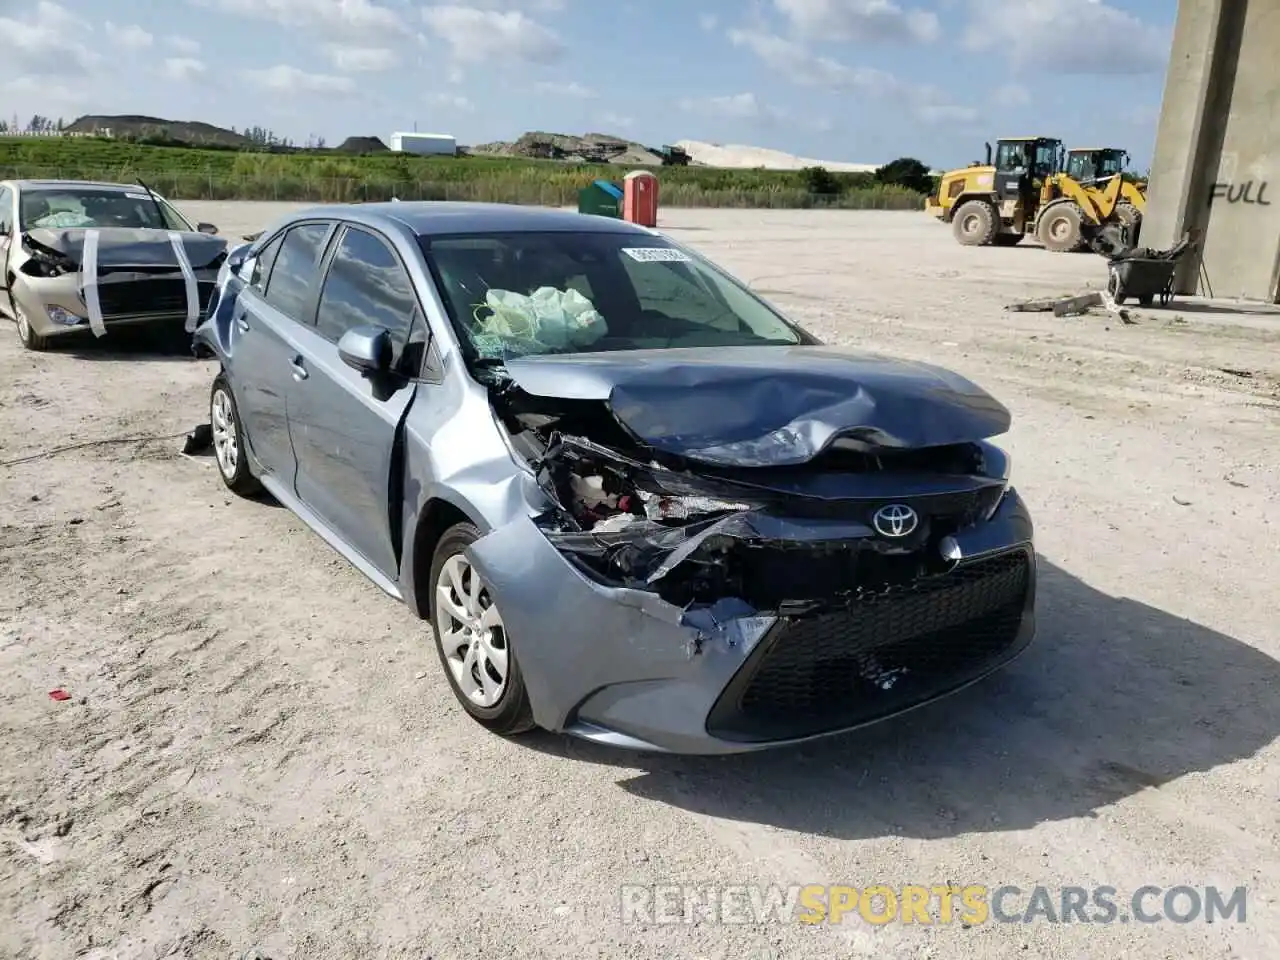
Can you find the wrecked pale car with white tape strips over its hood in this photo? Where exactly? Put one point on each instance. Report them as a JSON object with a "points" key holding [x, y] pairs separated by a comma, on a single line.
{"points": [[81, 257]]}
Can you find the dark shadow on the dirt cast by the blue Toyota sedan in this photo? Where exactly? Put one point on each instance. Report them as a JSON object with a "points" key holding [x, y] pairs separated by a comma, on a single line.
{"points": [[1114, 697]]}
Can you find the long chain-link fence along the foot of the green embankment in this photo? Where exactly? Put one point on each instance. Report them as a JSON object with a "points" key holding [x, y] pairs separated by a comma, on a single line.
{"points": [[196, 185]]}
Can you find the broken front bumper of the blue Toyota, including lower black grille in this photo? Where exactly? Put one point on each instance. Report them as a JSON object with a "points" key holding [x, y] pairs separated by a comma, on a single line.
{"points": [[624, 668]]}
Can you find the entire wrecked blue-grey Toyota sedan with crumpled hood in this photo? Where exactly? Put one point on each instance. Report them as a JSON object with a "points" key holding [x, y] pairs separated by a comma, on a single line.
{"points": [[636, 502]]}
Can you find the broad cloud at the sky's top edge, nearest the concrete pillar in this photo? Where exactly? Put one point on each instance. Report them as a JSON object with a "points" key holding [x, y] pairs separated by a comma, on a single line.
{"points": [[1043, 35]]}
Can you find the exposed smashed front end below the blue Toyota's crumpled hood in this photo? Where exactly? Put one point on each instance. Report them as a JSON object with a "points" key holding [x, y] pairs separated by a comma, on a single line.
{"points": [[793, 540]]}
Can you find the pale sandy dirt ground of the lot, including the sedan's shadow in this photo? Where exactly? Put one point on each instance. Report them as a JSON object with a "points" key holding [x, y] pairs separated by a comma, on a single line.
{"points": [[260, 749]]}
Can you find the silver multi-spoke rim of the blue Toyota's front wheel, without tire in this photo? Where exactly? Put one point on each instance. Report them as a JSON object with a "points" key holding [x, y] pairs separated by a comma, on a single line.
{"points": [[472, 633]]}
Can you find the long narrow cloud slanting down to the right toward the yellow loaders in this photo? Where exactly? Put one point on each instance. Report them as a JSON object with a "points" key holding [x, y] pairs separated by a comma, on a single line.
{"points": [[798, 63]]}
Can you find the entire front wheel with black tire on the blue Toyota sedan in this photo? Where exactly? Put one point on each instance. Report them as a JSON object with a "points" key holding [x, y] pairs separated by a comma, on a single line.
{"points": [[481, 665]]}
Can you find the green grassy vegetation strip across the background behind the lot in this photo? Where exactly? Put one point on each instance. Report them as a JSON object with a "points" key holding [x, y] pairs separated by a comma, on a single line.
{"points": [[324, 176]]}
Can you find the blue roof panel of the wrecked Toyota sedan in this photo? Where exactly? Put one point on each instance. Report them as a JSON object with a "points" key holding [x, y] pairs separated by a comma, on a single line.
{"points": [[428, 218]]}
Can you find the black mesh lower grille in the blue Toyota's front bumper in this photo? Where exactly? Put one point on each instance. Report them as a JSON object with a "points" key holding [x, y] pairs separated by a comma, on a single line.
{"points": [[884, 653]]}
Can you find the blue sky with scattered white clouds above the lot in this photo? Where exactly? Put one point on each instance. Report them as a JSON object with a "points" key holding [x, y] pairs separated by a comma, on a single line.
{"points": [[861, 81]]}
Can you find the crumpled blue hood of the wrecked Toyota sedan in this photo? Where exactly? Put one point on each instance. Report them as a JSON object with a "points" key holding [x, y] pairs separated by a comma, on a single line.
{"points": [[769, 406]]}
